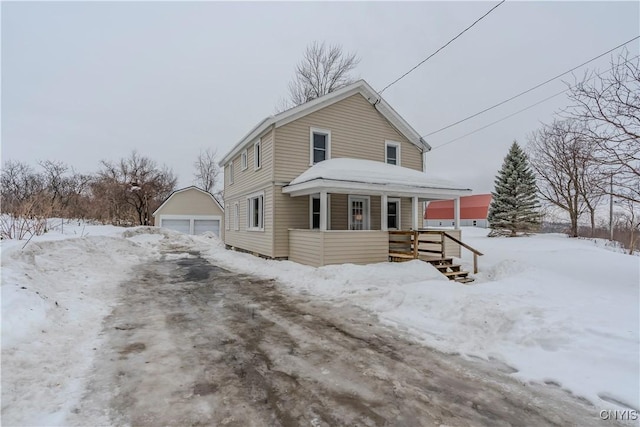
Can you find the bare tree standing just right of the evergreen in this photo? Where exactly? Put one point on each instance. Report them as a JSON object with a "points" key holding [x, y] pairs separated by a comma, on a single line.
{"points": [[567, 173]]}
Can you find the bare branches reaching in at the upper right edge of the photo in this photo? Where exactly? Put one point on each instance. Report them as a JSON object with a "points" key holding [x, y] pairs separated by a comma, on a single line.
{"points": [[608, 105]]}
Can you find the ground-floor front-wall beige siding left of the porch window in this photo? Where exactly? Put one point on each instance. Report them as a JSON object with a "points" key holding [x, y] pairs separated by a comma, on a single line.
{"points": [[290, 212]]}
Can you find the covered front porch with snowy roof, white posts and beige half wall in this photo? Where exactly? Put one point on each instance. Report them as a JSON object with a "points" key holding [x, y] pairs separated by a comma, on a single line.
{"points": [[354, 204]]}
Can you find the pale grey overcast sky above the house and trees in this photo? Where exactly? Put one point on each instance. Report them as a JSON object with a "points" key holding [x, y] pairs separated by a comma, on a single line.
{"points": [[85, 81]]}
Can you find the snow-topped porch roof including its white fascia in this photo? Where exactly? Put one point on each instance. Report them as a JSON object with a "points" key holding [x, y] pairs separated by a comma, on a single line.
{"points": [[367, 177]]}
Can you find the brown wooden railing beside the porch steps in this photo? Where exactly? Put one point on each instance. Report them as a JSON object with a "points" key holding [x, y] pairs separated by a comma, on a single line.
{"points": [[425, 244]]}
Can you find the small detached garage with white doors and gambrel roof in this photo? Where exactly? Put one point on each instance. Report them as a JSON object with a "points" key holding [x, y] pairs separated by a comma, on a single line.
{"points": [[191, 210]]}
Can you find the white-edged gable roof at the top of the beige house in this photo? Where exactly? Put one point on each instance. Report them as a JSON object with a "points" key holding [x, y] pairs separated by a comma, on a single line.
{"points": [[361, 87]]}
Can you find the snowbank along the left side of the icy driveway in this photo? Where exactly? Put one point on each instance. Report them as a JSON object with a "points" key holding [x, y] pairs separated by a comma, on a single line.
{"points": [[55, 293]]}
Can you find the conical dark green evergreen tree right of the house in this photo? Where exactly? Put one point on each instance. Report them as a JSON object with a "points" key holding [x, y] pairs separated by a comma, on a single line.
{"points": [[515, 206]]}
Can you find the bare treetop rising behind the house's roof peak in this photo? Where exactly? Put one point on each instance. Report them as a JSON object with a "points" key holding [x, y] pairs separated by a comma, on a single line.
{"points": [[323, 69]]}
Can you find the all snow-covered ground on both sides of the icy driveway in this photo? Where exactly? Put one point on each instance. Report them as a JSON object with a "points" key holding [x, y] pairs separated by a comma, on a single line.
{"points": [[556, 310]]}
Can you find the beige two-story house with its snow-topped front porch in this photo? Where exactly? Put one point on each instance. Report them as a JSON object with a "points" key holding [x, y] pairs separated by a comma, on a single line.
{"points": [[322, 183]]}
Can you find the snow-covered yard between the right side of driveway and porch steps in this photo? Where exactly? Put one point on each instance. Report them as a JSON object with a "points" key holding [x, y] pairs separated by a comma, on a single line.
{"points": [[546, 308]]}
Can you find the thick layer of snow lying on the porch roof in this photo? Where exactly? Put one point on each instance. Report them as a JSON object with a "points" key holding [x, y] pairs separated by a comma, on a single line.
{"points": [[371, 172]]}
